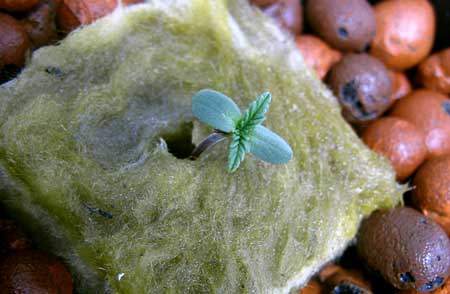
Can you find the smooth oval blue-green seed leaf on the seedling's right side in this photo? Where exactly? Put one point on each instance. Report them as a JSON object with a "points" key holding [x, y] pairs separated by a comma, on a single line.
{"points": [[268, 146]]}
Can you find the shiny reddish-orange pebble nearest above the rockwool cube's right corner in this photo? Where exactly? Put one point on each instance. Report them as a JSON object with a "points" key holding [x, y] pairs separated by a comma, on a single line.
{"points": [[398, 140]]}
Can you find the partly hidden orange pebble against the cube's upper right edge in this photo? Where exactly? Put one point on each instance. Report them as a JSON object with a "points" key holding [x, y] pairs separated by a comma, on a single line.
{"points": [[317, 54]]}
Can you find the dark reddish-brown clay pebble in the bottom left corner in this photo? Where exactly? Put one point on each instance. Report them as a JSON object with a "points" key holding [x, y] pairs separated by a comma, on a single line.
{"points": [[34, 272]]}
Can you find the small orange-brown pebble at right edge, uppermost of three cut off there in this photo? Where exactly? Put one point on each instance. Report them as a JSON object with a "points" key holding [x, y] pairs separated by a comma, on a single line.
{"points": [[434, 72]]}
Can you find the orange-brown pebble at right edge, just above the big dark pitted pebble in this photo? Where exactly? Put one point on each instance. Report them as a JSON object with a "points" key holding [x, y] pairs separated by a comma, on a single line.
{"points": [[432, 190]]}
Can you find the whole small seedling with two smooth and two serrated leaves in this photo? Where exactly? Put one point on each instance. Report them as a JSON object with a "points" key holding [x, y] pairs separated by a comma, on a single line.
{"points": [[246, 132]]}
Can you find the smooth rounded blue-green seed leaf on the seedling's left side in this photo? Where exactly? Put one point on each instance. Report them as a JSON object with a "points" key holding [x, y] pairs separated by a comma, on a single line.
{"points": [[216, 110]]}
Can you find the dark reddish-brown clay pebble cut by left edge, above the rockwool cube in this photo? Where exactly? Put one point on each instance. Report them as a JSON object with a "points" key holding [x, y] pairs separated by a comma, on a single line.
{"points": [[14, 42]]}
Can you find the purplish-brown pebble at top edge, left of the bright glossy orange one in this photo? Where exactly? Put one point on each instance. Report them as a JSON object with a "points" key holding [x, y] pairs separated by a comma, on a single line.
{"points": [[347, 25]]}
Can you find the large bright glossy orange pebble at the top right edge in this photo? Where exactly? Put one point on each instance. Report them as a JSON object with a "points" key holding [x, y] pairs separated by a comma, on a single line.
{"points": [[405, 32]]}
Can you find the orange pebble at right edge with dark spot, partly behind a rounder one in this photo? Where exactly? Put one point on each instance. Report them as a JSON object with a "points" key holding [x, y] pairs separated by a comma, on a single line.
{"points": [[429, 111]]}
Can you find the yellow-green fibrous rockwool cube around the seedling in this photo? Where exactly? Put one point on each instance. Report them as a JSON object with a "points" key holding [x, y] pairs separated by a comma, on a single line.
{"points": [[112, 133]]}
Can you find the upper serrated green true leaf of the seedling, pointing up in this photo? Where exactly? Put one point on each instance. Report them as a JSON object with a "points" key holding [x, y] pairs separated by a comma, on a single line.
{"points": [[255, 114]]}
